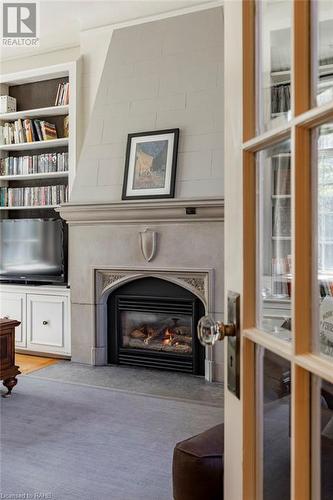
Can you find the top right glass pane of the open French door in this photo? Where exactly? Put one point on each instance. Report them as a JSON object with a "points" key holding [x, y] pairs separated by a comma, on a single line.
{"points": [[325, 51]]}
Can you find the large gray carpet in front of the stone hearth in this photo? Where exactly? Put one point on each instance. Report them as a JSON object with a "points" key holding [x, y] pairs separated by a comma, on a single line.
{"points": [[67, 441]]}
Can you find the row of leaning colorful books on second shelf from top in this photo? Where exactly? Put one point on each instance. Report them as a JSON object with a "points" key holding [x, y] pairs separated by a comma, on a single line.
{"points": [[27, 130]]}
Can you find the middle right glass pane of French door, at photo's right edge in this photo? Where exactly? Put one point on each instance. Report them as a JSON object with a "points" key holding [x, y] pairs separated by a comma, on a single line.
{"points": [[325, 236]]}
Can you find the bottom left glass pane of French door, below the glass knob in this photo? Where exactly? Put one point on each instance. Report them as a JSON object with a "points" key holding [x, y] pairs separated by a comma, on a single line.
{"points": [[276, 429]]}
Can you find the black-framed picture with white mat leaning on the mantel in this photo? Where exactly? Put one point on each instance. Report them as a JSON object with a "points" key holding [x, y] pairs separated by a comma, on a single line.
{"points": [[150, 166]]}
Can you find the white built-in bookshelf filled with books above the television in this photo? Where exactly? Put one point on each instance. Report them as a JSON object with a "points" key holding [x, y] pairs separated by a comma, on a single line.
{"points": [[38, 146]]}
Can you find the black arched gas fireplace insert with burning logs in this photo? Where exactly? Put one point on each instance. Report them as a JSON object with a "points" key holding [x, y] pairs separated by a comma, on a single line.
{"points": [[152, 323]]}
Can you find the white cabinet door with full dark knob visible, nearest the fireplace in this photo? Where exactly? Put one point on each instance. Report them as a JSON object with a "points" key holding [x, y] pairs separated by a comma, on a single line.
{"points": [[47, 323]]}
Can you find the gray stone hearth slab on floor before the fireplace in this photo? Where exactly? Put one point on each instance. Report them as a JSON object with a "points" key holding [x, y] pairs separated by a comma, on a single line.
{"points": [[139, 380]]}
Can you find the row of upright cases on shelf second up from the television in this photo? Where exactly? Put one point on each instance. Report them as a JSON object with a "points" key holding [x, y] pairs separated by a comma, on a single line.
{"points": [[36, 164]]}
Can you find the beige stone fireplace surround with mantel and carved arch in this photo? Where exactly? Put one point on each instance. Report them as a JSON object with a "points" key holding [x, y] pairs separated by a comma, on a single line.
{"points": [[105, 253]]}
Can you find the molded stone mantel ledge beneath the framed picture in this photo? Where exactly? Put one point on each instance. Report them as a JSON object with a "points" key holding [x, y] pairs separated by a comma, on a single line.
{"points": [[147, 211]]}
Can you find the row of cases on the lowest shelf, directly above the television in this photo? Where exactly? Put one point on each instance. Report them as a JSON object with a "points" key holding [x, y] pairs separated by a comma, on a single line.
{"points": [[33, 196]]}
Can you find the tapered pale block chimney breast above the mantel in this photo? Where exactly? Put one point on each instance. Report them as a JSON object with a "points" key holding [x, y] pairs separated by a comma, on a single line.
{"points": [[161, 74]]}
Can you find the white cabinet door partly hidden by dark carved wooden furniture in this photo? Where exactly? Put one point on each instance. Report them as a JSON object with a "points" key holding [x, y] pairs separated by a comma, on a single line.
{"points": [[12, 306]]}
